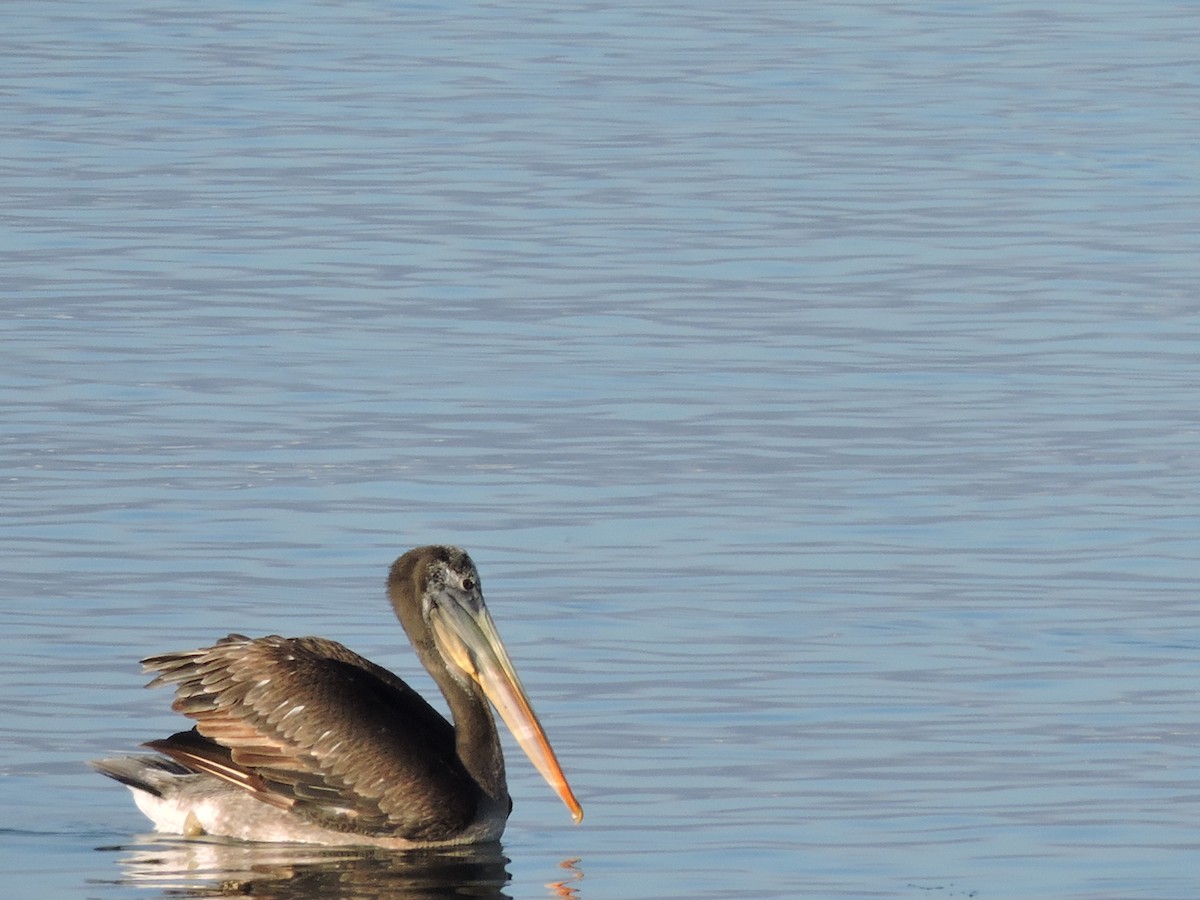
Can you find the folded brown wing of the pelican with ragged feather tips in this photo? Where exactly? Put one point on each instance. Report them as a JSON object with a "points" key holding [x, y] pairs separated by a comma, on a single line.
{"points": [[308, 725]]}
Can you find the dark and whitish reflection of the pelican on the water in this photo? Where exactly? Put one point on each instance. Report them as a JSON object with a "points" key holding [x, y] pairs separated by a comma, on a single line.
{"points": [[202, 868]]}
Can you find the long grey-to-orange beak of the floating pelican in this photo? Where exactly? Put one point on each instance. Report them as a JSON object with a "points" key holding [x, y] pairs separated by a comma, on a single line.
{"points": [[470, 639]]}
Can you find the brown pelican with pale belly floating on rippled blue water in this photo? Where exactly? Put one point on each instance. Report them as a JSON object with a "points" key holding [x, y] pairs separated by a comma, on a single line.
{"points": [[302, 740]]}
